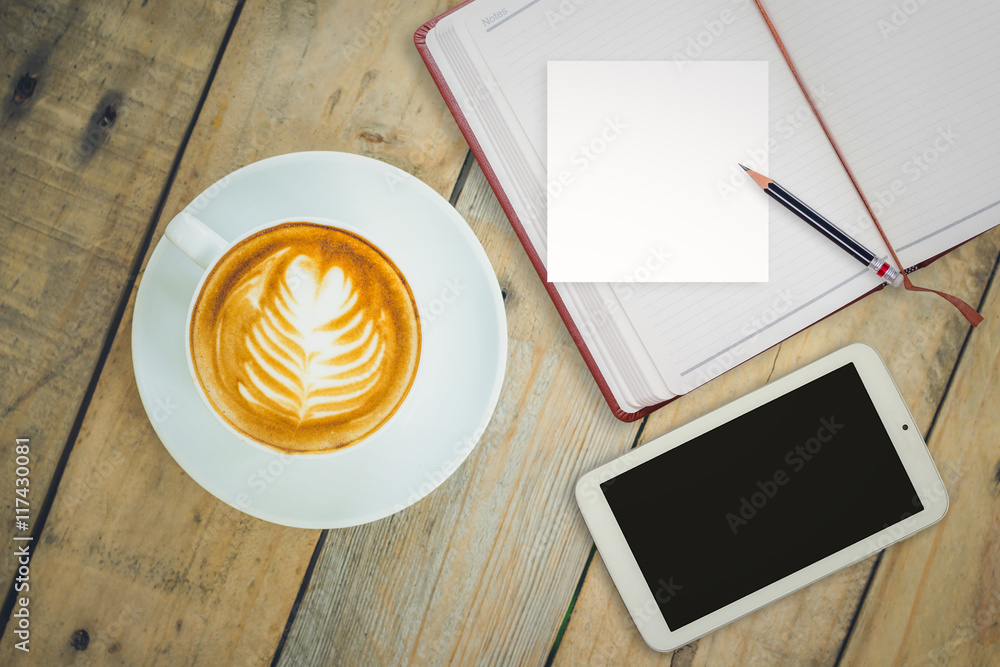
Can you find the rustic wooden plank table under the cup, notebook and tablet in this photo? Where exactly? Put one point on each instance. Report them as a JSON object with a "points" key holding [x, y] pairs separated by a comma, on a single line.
{"points": [[113, 116]]}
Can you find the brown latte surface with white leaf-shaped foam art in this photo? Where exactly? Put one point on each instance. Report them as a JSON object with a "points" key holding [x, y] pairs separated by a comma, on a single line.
{"points": [[305, 337]]}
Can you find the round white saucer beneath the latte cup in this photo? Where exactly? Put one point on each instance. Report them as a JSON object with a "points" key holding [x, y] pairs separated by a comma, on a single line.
{"points": [[462, 359]]}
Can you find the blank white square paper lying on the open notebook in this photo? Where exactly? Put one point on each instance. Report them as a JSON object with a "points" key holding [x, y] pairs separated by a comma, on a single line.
{"points": [[640, 158]]}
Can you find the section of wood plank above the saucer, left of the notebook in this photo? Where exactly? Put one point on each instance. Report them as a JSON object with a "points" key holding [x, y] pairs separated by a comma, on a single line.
{"points": [[342, 76]]}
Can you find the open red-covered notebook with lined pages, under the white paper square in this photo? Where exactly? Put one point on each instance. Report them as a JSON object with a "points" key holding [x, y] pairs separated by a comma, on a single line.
{"points": [[912, 99]]}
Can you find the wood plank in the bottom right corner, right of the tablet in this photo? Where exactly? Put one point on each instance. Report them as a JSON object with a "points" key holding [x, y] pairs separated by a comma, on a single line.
{"points": [[935, 599]]}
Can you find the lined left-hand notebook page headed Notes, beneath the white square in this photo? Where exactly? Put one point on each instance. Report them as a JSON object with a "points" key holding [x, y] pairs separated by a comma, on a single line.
{"points": [[694, 332]]}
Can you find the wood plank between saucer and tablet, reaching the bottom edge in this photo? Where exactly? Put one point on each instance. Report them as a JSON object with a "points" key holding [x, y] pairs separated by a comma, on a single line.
{"points": [[483, 568]]}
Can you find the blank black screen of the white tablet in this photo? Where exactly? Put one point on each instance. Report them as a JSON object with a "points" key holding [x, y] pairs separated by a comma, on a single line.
{"points": [[761, 497]]}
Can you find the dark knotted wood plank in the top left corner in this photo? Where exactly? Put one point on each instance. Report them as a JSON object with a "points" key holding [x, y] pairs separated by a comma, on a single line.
{"points": [[96, 101]]}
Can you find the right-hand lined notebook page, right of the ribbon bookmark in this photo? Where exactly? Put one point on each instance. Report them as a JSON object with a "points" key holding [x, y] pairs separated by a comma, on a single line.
{"points": [[916, 111]]}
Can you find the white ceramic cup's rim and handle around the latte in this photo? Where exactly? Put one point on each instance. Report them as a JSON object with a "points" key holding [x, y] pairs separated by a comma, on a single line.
{"points": [[205, 247]]}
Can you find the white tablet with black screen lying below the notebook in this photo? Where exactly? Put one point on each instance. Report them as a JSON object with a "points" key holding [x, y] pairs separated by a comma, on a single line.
{"points": [[761, 497]]}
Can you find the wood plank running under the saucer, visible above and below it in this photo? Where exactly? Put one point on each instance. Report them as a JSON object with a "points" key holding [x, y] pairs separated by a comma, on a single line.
{"points": [[135, 553]]}
